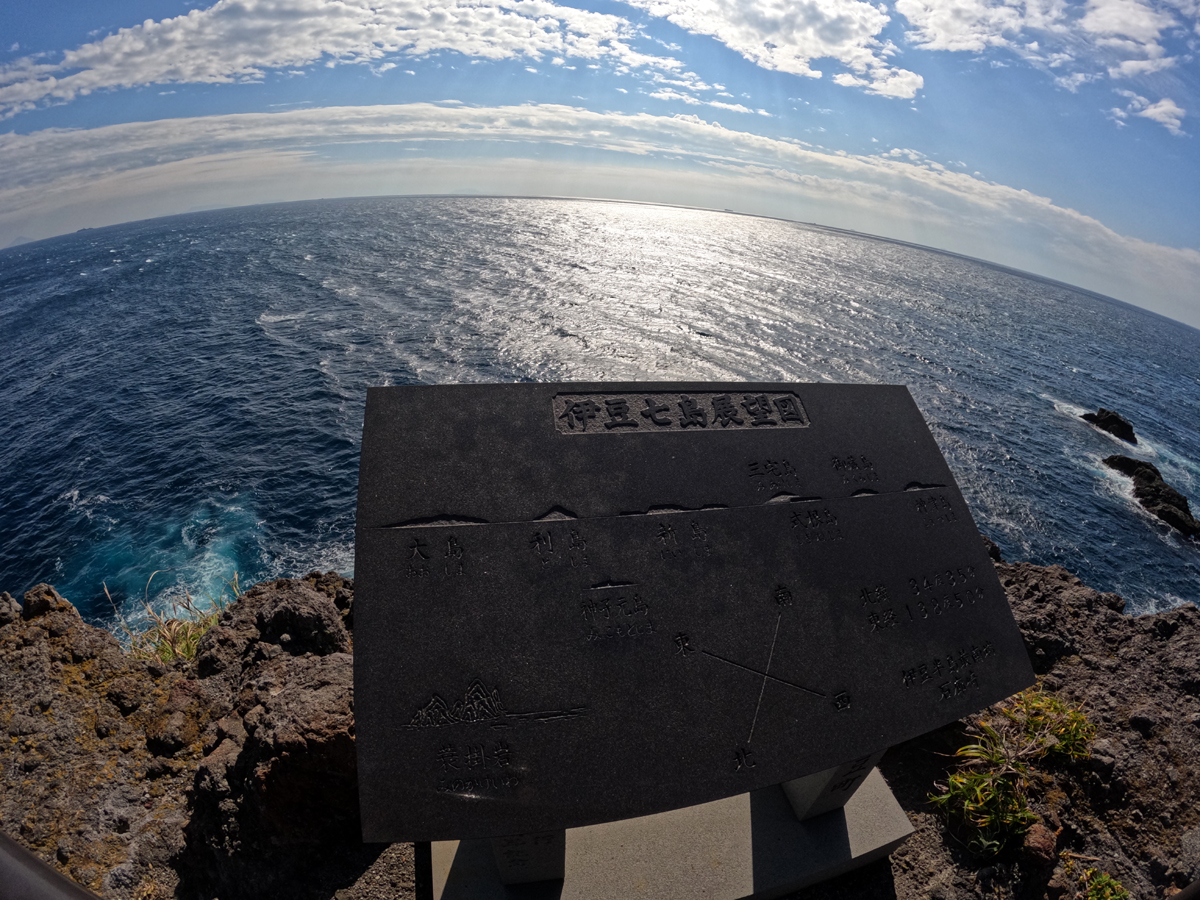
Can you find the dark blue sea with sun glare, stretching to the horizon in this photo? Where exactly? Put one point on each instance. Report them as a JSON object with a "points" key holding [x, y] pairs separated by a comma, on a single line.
{"points": [[183, 398]]}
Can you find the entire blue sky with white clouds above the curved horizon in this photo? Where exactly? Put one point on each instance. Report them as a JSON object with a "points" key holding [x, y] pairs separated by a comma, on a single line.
{"points": [[1049, 136]]}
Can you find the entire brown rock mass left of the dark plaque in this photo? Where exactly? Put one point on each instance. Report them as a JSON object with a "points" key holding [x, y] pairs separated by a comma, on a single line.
{"points": [[141, 779]]}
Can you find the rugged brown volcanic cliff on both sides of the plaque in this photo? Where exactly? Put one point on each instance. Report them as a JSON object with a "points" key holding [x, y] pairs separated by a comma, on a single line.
{"points": [[235, 777]]}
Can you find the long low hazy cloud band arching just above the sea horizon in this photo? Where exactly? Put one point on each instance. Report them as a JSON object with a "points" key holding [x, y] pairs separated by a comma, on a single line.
{"points": [[80, 178]]}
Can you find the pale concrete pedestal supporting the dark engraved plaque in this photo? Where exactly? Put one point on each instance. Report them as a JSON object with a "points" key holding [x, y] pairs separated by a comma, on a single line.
{"points": [[751, 845]]}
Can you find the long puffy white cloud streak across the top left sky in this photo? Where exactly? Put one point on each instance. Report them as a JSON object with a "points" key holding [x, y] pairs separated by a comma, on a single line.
{"points": [[242, 40]]}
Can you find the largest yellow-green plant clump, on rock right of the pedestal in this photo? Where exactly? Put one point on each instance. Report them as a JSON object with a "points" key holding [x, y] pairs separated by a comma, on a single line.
{"points": [[988, 795]]}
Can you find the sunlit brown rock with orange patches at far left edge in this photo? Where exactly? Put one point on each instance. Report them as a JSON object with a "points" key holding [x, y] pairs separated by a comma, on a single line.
{"points": [[88, 778]]}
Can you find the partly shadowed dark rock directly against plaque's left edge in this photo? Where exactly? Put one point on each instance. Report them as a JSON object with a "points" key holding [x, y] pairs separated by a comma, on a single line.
{"points": [[279, 770]]}
